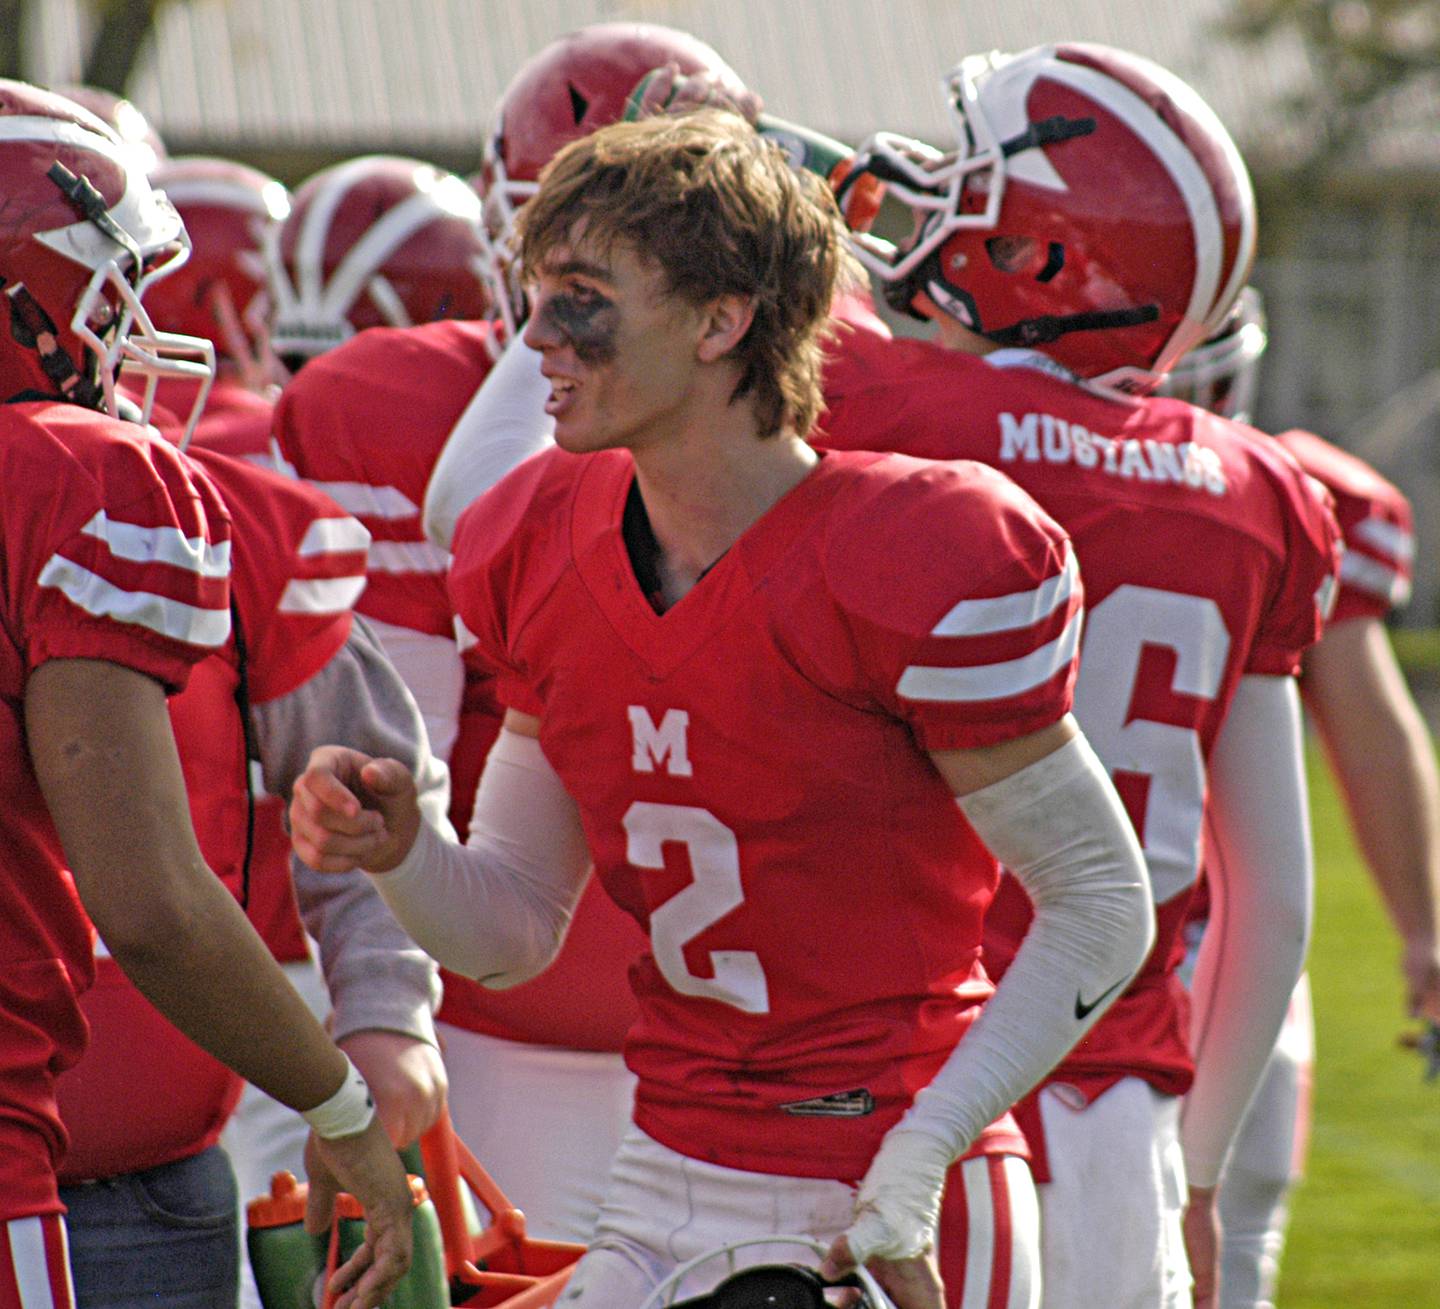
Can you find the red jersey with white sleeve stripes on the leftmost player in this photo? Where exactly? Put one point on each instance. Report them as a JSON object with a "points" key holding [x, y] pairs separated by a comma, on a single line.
{"points": [[114, 549]]}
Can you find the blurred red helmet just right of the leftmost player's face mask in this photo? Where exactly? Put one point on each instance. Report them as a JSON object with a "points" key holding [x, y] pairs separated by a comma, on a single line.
{"points": [[220, 294]]}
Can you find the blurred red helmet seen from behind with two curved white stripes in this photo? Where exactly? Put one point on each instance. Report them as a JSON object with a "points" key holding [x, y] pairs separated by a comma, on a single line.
{"points": [[374, 241]]}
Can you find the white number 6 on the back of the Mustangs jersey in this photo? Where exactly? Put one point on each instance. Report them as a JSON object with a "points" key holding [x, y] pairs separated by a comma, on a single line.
{"points": [[1117, 633]]}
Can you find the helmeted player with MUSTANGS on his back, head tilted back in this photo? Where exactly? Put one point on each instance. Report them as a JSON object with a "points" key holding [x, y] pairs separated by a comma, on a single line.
{"points": [[1207, 565]]}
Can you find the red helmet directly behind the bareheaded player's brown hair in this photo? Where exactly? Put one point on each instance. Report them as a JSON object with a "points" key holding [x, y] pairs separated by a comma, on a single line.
{"points": [[580, 83]]}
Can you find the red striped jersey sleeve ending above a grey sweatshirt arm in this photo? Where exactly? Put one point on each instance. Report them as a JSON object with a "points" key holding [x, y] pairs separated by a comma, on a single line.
{"points": [[300, 565]]}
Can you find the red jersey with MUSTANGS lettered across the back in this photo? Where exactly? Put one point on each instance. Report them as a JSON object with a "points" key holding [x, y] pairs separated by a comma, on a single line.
{"points": [[1205, 559]]}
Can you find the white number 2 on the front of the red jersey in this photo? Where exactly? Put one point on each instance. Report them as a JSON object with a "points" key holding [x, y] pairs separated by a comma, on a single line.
{"points": [[715, 865]]}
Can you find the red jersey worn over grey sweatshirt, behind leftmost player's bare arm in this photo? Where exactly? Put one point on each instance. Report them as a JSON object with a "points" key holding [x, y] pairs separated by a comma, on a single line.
{"points": [[299, 565]]}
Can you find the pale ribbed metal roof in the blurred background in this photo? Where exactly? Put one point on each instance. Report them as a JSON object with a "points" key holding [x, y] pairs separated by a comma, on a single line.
{"points": [[375, 74]]}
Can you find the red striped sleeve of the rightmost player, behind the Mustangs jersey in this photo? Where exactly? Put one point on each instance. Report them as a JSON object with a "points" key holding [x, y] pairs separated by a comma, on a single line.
{"points": [[1376, 523]]}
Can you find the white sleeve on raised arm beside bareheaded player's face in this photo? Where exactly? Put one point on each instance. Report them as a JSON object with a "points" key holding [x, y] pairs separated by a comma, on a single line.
{"points": [[503, 426]]}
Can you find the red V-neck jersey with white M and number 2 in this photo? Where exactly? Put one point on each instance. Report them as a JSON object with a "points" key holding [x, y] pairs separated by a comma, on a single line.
{"points": [[752, 777]]}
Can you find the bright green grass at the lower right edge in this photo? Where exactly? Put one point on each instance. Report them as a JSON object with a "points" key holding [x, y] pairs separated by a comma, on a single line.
{"points": [[1366, 1226]]}
